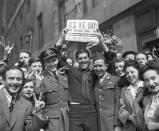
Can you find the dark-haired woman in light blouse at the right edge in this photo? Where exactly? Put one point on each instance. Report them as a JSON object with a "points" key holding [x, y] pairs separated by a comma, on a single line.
{"points": [[150, 74]]}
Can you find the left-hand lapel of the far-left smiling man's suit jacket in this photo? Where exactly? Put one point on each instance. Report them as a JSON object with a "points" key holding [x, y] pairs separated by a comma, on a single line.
{"points": [[4, 105]]}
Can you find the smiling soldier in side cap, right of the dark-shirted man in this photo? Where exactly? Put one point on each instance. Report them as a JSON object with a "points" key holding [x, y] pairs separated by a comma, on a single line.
{"points": [[106, 93]]}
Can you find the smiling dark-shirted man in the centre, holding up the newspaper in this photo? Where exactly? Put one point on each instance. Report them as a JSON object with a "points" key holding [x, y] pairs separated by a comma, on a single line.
{"points": [[82, 113]]}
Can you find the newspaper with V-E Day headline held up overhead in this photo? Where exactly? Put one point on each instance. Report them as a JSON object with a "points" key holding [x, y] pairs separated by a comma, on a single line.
{"points": [[82, 31]]}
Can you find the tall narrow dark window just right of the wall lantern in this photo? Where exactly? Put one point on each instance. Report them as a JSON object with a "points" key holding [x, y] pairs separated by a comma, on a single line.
{"points": [[40, 30]]}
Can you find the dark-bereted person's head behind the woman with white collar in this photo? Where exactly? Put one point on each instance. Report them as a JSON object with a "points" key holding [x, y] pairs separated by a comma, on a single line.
{"points": [[129, 55]]}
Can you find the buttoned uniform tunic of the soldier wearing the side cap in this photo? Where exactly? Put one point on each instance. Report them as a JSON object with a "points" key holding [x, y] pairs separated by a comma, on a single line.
{"points": [[105, 96]]}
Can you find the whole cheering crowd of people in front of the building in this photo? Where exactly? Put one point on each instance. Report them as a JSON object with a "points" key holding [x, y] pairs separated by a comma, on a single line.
{"points": [[97, 91]]}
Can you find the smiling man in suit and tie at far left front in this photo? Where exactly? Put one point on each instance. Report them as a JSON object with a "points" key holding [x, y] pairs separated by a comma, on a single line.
{"points": [[13, 108]]}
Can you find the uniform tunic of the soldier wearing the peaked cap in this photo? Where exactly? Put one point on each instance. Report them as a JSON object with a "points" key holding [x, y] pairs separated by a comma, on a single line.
{"points": [[55, 89]]}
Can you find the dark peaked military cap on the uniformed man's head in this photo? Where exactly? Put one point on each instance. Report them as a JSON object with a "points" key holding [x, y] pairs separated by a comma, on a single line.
{"points": [[50, 52]]}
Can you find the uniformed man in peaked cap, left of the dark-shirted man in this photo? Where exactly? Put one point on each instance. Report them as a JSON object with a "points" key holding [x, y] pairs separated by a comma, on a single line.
{"points": [[55, 89]]}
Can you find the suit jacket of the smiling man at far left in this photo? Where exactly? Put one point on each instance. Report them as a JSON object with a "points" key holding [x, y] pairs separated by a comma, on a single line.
{"points": [[13, 121]]}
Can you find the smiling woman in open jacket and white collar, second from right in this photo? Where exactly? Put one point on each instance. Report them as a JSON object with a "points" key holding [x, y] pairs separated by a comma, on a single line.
{"points": [[128, 114]]}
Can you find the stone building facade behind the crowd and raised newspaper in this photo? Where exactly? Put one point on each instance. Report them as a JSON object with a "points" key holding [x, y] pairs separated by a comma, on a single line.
{"points": [[35, 25]]}
